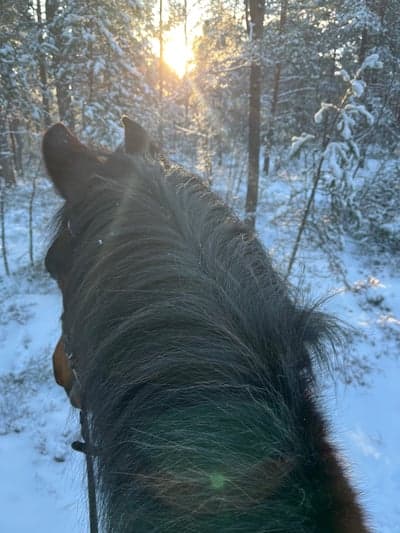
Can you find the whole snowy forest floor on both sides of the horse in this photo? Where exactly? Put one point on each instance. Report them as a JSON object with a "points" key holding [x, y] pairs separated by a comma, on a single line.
{"points": [[43, 484]]}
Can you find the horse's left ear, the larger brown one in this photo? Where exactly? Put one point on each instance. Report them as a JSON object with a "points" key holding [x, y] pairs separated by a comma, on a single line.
{"points": [[69, 162]]}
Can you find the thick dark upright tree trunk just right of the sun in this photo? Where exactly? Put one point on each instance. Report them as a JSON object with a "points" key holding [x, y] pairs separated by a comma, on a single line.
{"points": [[255, 10]]}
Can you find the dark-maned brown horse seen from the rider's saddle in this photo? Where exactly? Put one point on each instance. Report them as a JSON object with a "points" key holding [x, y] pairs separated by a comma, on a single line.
{"points": [[193, 358]]}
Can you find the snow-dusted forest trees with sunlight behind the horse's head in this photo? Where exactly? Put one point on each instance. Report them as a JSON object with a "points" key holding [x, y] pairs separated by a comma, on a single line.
{"points": [[228, 85]]}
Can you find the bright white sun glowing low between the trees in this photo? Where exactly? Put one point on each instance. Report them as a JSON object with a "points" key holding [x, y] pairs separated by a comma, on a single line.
{"points": [[177, 54]]}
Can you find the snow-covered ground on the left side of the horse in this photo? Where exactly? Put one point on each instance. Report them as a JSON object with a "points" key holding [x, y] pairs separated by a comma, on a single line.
{"points": [[42, 479]]}
